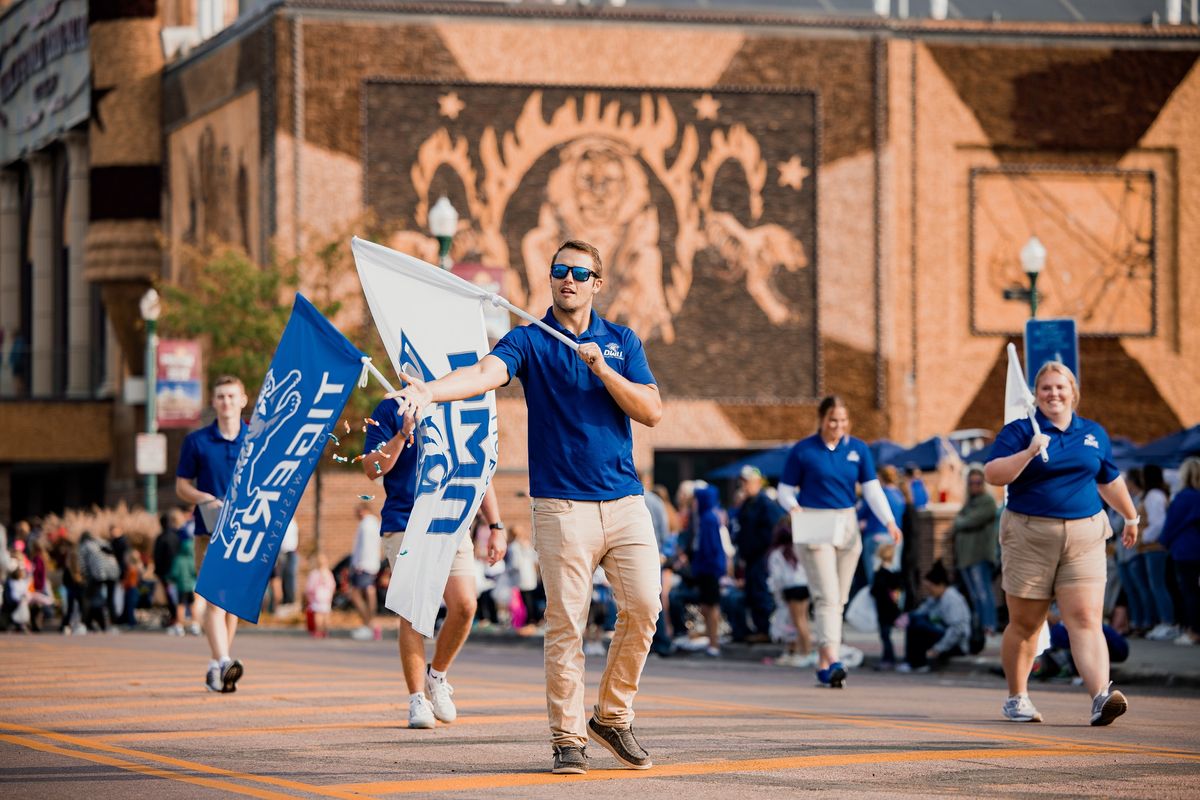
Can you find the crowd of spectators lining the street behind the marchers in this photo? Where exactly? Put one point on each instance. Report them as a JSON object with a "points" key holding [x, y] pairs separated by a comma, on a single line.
{"points": [[729, 574]]}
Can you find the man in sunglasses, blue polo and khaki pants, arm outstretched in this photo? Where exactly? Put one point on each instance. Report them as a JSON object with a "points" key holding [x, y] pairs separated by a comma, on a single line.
{"points": [[586, 495]]}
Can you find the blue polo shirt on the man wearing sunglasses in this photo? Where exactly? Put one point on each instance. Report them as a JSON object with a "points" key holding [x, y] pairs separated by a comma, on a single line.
{"points": [[581, 444]]}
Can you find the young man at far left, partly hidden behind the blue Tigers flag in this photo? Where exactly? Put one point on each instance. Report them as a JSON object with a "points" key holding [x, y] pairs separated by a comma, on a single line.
{"points": [[202, 479]]}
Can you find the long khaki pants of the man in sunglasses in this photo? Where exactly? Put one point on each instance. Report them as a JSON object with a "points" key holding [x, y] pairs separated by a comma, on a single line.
{"points": [[572, 538]]}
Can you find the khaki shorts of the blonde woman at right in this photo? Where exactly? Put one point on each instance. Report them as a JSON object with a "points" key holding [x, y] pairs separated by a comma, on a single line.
{"points": [[1042, 555]]}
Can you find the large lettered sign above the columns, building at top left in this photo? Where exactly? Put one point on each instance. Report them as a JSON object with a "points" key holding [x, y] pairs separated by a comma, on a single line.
{"points": [[45, 74]]}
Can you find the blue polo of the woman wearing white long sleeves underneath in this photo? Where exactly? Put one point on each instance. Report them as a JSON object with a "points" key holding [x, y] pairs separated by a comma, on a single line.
{"points": [[825, 478]]}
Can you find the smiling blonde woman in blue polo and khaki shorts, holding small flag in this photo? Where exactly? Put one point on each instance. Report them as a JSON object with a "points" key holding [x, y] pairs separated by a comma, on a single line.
{"points": [[1052, 538]]}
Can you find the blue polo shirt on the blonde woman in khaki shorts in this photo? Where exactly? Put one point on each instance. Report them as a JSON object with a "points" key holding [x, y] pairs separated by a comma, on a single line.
{"points": [[1064, 488]]}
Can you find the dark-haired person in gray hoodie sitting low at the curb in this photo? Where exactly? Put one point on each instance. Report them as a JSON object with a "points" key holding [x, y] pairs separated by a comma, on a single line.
{"points": [[940, 628]]}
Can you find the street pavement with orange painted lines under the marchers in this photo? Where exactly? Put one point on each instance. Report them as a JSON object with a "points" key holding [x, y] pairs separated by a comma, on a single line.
{"points": [[127, 717]]}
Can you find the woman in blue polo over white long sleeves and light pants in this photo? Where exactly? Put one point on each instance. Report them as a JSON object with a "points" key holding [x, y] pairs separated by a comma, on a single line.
{"points": [[823, 473]]}
